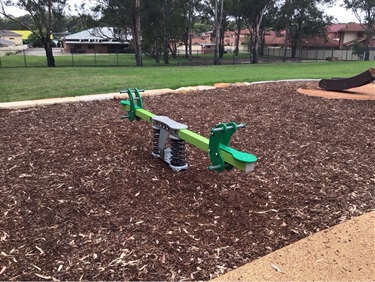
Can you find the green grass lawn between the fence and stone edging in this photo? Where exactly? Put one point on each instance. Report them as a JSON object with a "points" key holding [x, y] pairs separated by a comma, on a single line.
{"points": [[17, 84]]}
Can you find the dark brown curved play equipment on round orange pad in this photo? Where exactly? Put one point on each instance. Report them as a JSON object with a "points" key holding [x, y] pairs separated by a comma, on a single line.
{"points": [[339, 84]]}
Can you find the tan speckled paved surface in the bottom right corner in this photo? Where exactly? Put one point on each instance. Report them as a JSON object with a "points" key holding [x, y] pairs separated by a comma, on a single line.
{"points": [[344, 252]]}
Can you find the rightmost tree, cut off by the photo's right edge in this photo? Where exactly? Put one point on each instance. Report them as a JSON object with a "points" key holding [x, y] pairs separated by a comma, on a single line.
{"points": [[364, 10]]}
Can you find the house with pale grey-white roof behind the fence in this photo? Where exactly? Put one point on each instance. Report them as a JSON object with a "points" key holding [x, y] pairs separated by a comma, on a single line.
{"points": [[96, 40]]}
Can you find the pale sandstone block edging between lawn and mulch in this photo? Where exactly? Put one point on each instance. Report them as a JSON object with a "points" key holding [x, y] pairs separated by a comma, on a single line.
{"points": [[155, 92]]}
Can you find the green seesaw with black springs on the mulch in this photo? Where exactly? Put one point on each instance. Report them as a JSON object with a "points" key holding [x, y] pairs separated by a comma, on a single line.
{"points": [[222, 156]]}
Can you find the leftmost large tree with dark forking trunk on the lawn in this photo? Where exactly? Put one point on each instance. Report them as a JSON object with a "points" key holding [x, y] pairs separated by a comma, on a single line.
{"points": [[45, 15]]}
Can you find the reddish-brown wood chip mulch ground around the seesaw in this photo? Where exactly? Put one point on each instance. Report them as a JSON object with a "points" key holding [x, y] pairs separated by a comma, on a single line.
{"points": [[83, 199]]}
